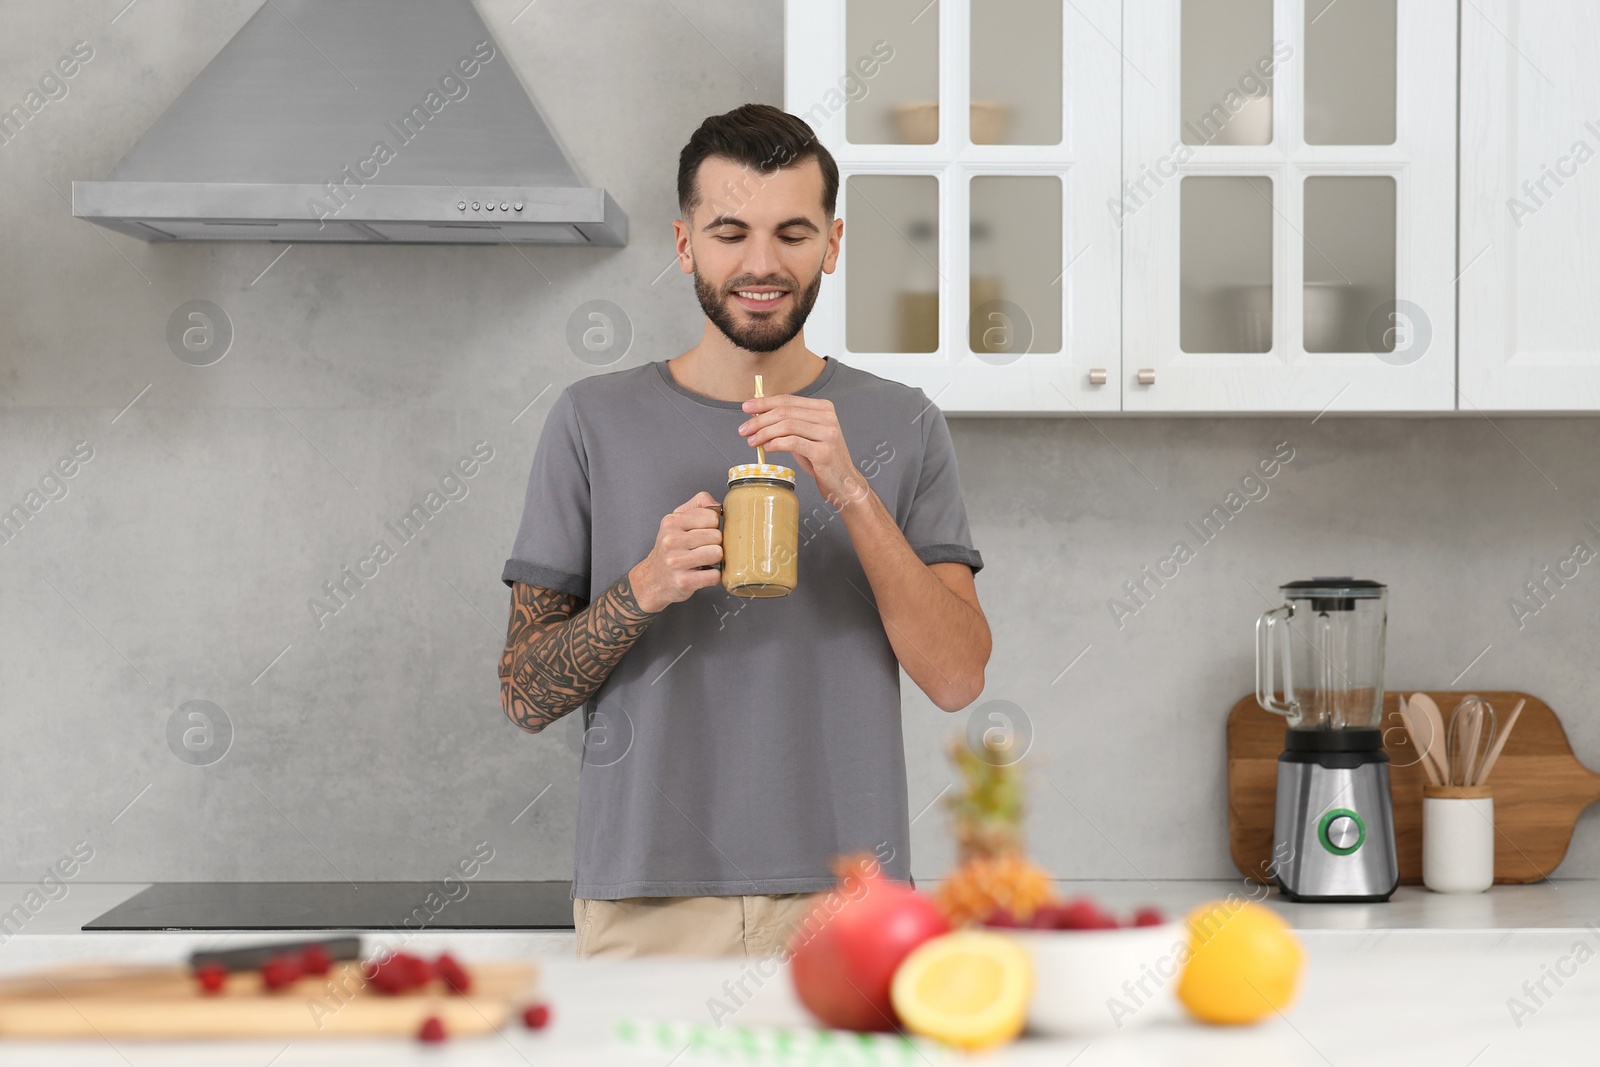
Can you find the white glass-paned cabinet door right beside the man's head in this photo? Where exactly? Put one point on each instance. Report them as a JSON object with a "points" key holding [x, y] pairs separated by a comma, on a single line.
{"points": [[978, 145]]}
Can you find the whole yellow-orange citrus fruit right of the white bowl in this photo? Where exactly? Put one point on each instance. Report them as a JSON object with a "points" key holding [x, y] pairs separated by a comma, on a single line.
{"points": [[1244, 964]]}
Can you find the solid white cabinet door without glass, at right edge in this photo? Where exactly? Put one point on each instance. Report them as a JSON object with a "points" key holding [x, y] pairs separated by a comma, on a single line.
{"points": [[1530, 207]]}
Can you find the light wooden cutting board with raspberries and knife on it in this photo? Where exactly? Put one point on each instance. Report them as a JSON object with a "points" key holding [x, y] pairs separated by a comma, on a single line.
{"points": [[164, 1002]]}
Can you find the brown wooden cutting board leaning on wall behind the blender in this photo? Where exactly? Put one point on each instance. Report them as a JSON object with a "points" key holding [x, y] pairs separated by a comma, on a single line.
{"points": [[1540, 788]]}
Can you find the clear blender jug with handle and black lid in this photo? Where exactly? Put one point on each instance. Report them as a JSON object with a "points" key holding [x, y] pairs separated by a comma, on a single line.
{"points": [[1327, 641]]}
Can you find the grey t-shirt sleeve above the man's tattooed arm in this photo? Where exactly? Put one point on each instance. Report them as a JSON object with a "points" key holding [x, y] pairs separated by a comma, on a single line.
{"points": [[553, 543]]}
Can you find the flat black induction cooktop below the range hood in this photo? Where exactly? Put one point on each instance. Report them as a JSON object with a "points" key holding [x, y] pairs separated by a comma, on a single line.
{"points": [[345, 906]]}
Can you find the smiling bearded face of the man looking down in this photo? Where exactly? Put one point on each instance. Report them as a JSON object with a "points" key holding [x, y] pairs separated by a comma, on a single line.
{"points": [[761, 247]]}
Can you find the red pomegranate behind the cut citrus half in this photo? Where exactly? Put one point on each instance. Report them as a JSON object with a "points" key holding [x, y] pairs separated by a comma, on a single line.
{"points": [[842, 965]]}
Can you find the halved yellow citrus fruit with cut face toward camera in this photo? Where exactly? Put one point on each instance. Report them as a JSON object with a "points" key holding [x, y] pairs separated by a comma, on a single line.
{"points": [[969, 988]]}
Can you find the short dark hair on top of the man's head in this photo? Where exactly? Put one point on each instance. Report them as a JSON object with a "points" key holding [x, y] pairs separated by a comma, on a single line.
{"points": [[759, 137]]}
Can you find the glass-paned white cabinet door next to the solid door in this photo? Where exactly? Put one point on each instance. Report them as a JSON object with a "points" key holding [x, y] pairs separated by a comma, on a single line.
{"points": [[1289, 247]]}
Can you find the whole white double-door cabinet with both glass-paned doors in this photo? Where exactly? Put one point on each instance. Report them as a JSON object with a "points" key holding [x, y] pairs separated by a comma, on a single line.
{"points": [[1239, 206]]}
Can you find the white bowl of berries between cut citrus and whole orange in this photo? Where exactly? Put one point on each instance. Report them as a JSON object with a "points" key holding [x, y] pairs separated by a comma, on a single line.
{"points": [[1103, 981]]}
